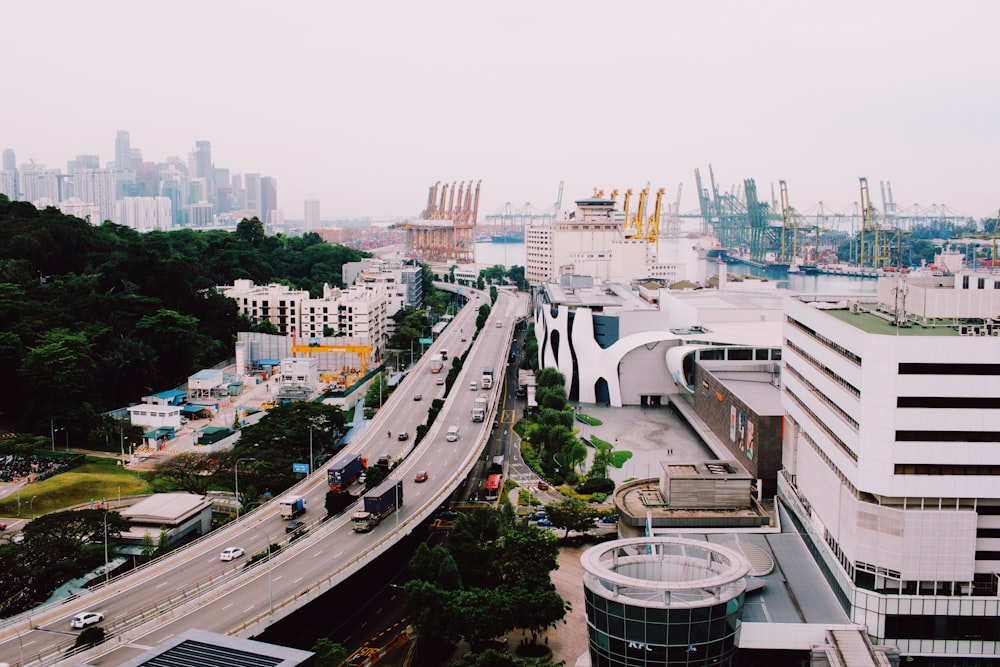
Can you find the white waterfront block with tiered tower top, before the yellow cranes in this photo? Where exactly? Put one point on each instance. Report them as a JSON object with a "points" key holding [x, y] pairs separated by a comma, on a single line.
{"points": [[591, 241]]}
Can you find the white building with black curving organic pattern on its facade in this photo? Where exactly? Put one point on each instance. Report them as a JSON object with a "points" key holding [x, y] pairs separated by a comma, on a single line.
{"points": [[626, 345]]}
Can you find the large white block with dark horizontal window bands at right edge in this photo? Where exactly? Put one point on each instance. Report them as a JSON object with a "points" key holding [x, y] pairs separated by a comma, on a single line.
{"points": [[892, 457]]}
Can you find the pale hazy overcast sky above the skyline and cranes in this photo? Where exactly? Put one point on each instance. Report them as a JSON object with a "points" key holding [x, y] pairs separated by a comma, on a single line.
{"points": [[365, 105]]}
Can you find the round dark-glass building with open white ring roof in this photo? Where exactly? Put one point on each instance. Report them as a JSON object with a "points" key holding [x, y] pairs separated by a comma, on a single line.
{"points": [[663, 601]]}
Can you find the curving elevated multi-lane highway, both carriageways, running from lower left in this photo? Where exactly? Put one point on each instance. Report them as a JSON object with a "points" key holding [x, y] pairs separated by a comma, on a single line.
{"points": [[191, 588]]}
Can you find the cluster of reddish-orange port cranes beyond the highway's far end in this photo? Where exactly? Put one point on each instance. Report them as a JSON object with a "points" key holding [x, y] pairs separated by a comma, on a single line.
{"points": [[446, 230]]}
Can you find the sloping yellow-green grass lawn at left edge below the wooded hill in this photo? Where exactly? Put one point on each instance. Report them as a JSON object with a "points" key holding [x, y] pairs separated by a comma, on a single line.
{"points": [[95, 480]]}
